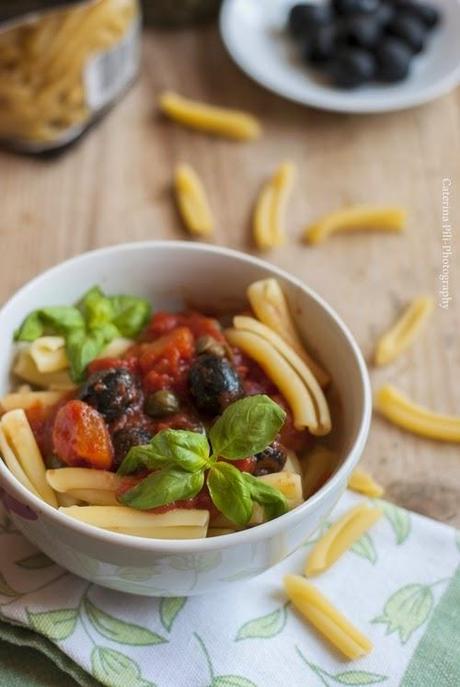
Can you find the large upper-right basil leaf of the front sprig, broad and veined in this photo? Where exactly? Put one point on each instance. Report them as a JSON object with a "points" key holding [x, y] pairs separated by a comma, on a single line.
{"points": [[246, 427]]}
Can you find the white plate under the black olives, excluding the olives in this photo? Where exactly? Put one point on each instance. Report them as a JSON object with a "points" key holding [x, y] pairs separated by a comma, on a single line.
{"points": [[254, 34]]}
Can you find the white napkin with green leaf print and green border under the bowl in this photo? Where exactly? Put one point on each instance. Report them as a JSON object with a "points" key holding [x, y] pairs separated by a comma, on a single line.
{"points": [[400, 584]]}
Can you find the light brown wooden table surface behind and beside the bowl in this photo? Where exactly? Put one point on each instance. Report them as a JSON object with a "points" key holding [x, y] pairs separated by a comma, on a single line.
{"points": [[115, 186]]}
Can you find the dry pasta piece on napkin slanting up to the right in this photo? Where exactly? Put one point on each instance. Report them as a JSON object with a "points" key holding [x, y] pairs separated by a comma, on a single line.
{"points": [[340, 537]]}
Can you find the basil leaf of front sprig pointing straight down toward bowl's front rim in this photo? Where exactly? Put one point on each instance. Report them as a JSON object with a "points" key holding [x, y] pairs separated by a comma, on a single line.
{"points": [[230, 493]]}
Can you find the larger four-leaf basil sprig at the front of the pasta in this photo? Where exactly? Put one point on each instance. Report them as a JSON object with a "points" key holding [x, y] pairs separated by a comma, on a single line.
{"points": [[180, 459]]}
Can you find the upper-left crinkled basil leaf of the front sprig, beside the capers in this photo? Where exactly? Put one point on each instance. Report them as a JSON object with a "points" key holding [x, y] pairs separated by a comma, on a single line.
{"points": [[172, 447]]}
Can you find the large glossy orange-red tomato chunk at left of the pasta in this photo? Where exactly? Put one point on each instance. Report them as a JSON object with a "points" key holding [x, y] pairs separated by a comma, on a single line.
{"points": [[80, 436]]}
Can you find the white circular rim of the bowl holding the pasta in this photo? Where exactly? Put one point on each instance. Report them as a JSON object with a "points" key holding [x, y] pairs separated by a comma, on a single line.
{"points": [[247, 536]]}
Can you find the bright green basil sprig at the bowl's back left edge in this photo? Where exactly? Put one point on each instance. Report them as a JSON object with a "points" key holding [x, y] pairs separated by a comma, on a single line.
{"points": [[89, 326]]}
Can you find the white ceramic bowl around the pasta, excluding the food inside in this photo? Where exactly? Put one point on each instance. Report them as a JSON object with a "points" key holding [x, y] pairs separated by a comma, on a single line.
{"points": [[168, 273]]}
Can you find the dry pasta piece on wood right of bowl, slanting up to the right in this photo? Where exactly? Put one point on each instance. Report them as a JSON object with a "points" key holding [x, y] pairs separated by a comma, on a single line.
{"points": [[404, 331]]}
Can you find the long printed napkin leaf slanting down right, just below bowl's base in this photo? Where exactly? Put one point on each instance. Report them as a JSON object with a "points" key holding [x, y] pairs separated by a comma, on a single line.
{"points": [[119, 630]]}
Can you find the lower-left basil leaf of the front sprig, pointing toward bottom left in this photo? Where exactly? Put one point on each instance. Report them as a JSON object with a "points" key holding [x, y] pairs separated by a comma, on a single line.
{"points": [[163, 487]]}
